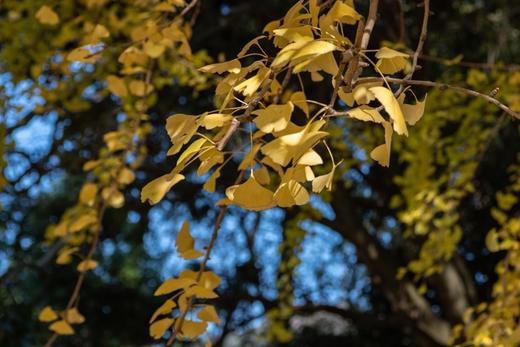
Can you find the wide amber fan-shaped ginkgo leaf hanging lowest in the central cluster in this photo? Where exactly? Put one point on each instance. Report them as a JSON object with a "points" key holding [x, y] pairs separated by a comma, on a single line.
{"points": [[250, 195]]}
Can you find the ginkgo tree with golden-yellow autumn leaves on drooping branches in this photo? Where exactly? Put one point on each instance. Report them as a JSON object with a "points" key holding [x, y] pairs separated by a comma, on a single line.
{"points": [[283, 143]]}
